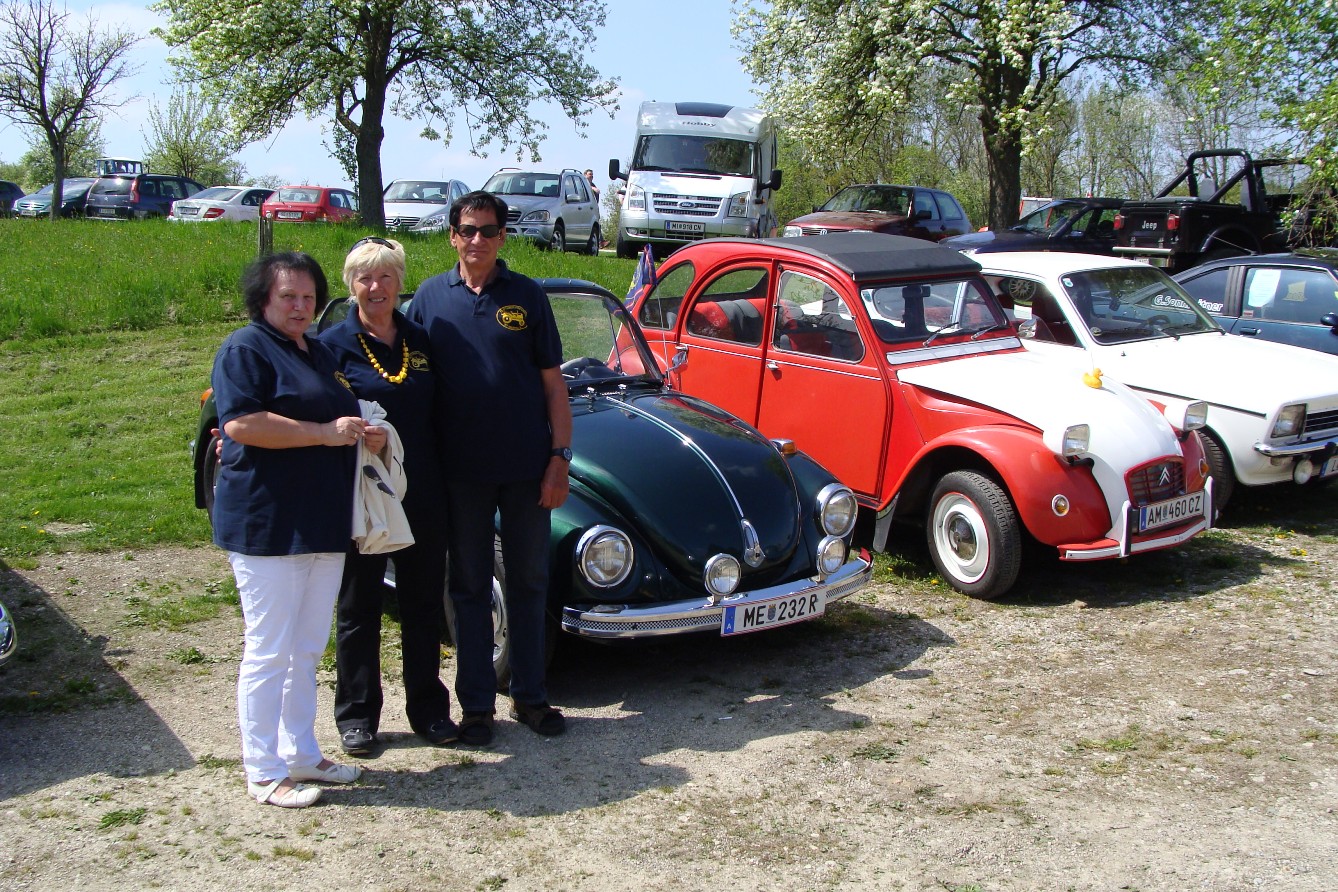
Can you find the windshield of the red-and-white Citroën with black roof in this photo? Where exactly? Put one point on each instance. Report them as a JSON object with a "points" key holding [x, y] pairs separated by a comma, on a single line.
{"points": [[923, 311]]}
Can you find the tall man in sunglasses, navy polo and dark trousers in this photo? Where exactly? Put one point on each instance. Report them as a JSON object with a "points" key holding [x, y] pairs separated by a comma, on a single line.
{"points": [[506, 437]]}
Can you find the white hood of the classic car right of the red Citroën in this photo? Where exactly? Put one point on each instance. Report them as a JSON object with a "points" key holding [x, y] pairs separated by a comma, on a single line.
{"points": [[1225, 370]]}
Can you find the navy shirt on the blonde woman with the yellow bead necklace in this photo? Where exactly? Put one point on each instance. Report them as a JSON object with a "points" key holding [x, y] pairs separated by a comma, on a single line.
{"points": [[409, 405]]}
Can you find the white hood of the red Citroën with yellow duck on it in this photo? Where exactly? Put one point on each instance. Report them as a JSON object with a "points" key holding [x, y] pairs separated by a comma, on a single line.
{"points": [[1054, 395]]}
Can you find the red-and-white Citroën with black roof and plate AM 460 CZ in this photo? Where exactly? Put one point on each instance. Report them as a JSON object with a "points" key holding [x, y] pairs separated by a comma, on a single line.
{"points": [[892, 363]]}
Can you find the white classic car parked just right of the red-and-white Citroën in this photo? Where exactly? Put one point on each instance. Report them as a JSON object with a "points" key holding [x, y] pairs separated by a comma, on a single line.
{"points": [[1273, 409]]}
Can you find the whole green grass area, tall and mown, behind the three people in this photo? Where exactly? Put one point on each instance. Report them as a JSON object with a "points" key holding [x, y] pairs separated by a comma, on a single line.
{"points": [[108, 334]]}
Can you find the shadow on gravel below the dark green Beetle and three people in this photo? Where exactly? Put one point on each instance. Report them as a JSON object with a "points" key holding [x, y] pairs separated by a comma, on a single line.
{"points": [[703, 696]]}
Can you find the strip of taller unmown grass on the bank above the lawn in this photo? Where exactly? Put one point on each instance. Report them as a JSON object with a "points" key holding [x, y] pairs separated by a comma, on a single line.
{"points": [[74, 277]]}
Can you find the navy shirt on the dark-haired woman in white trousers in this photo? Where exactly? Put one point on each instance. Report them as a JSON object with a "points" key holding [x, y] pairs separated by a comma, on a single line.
{"points": [[282, 502]]}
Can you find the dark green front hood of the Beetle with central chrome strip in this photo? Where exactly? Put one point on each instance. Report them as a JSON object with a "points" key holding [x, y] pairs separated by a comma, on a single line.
{"points": [[682, 473]]}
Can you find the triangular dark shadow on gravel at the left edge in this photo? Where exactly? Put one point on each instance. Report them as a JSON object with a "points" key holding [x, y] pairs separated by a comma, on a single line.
{"points": [[65, 709]]}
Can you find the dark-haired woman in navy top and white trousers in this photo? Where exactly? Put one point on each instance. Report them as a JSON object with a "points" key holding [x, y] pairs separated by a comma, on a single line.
{"points": [[283, 510]]}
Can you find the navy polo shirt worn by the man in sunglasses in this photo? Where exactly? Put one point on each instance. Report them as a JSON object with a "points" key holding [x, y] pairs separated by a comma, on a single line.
{"points": [[489, 351]]}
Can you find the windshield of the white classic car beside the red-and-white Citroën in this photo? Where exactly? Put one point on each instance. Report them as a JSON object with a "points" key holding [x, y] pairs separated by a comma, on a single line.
{"points": [[1134, 303]]}
